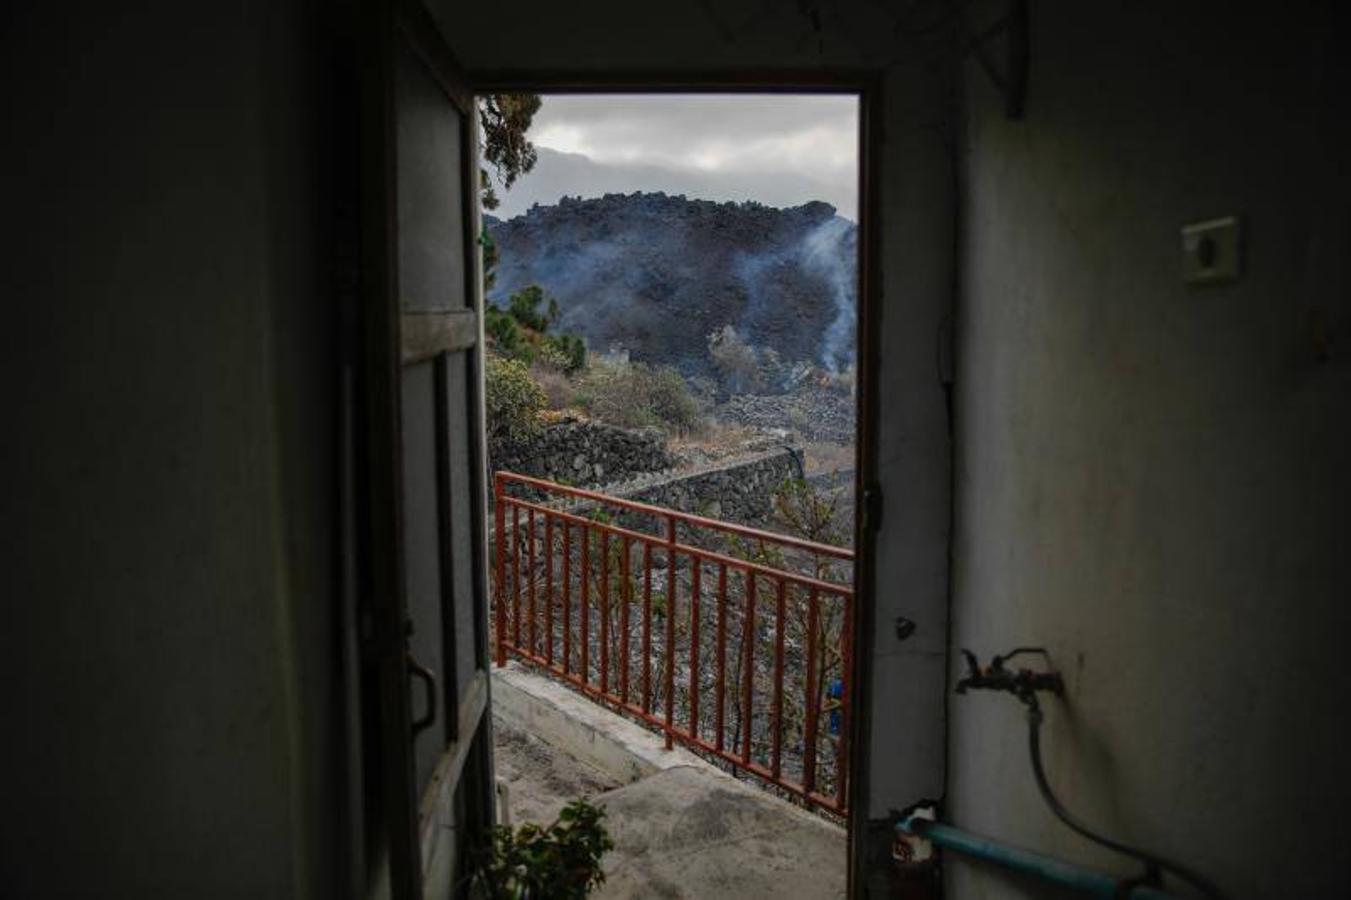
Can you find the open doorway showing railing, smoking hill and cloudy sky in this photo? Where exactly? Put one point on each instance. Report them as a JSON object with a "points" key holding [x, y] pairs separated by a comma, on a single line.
{"points": [[672, 355]]}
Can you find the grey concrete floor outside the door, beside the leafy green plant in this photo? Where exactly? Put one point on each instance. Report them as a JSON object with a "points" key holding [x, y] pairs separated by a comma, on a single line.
{"points": [[684, 832]]}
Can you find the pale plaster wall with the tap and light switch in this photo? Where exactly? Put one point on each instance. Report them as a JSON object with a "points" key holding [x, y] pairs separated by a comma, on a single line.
{"points": [[1152, 478]]}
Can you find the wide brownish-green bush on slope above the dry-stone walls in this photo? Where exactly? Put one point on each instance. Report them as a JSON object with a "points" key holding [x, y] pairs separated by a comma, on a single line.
{"points": [[634, 395]]}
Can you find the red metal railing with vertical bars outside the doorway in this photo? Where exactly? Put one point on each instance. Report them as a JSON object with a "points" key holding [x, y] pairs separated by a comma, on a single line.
{"points": [[783, 714]]}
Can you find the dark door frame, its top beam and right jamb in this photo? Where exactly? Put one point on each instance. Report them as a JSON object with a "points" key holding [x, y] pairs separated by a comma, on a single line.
{"points": [[867, 84]]}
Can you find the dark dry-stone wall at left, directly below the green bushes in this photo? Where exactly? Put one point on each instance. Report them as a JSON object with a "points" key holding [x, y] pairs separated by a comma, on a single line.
{"points": [[588, 453]]}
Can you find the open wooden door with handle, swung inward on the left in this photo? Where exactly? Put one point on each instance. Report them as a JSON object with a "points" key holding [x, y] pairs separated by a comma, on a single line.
{"points": [[428, 732]]}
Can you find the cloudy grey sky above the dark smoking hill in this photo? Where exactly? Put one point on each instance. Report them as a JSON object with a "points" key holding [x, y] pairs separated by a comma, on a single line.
{"points": [[779, 149]]}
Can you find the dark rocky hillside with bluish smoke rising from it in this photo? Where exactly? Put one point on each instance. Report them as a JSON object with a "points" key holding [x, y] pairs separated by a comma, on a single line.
{"points": [[656, 275]]}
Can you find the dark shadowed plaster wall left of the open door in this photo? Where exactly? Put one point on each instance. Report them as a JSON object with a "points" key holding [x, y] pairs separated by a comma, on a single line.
{"points": [[167, 472]]}
